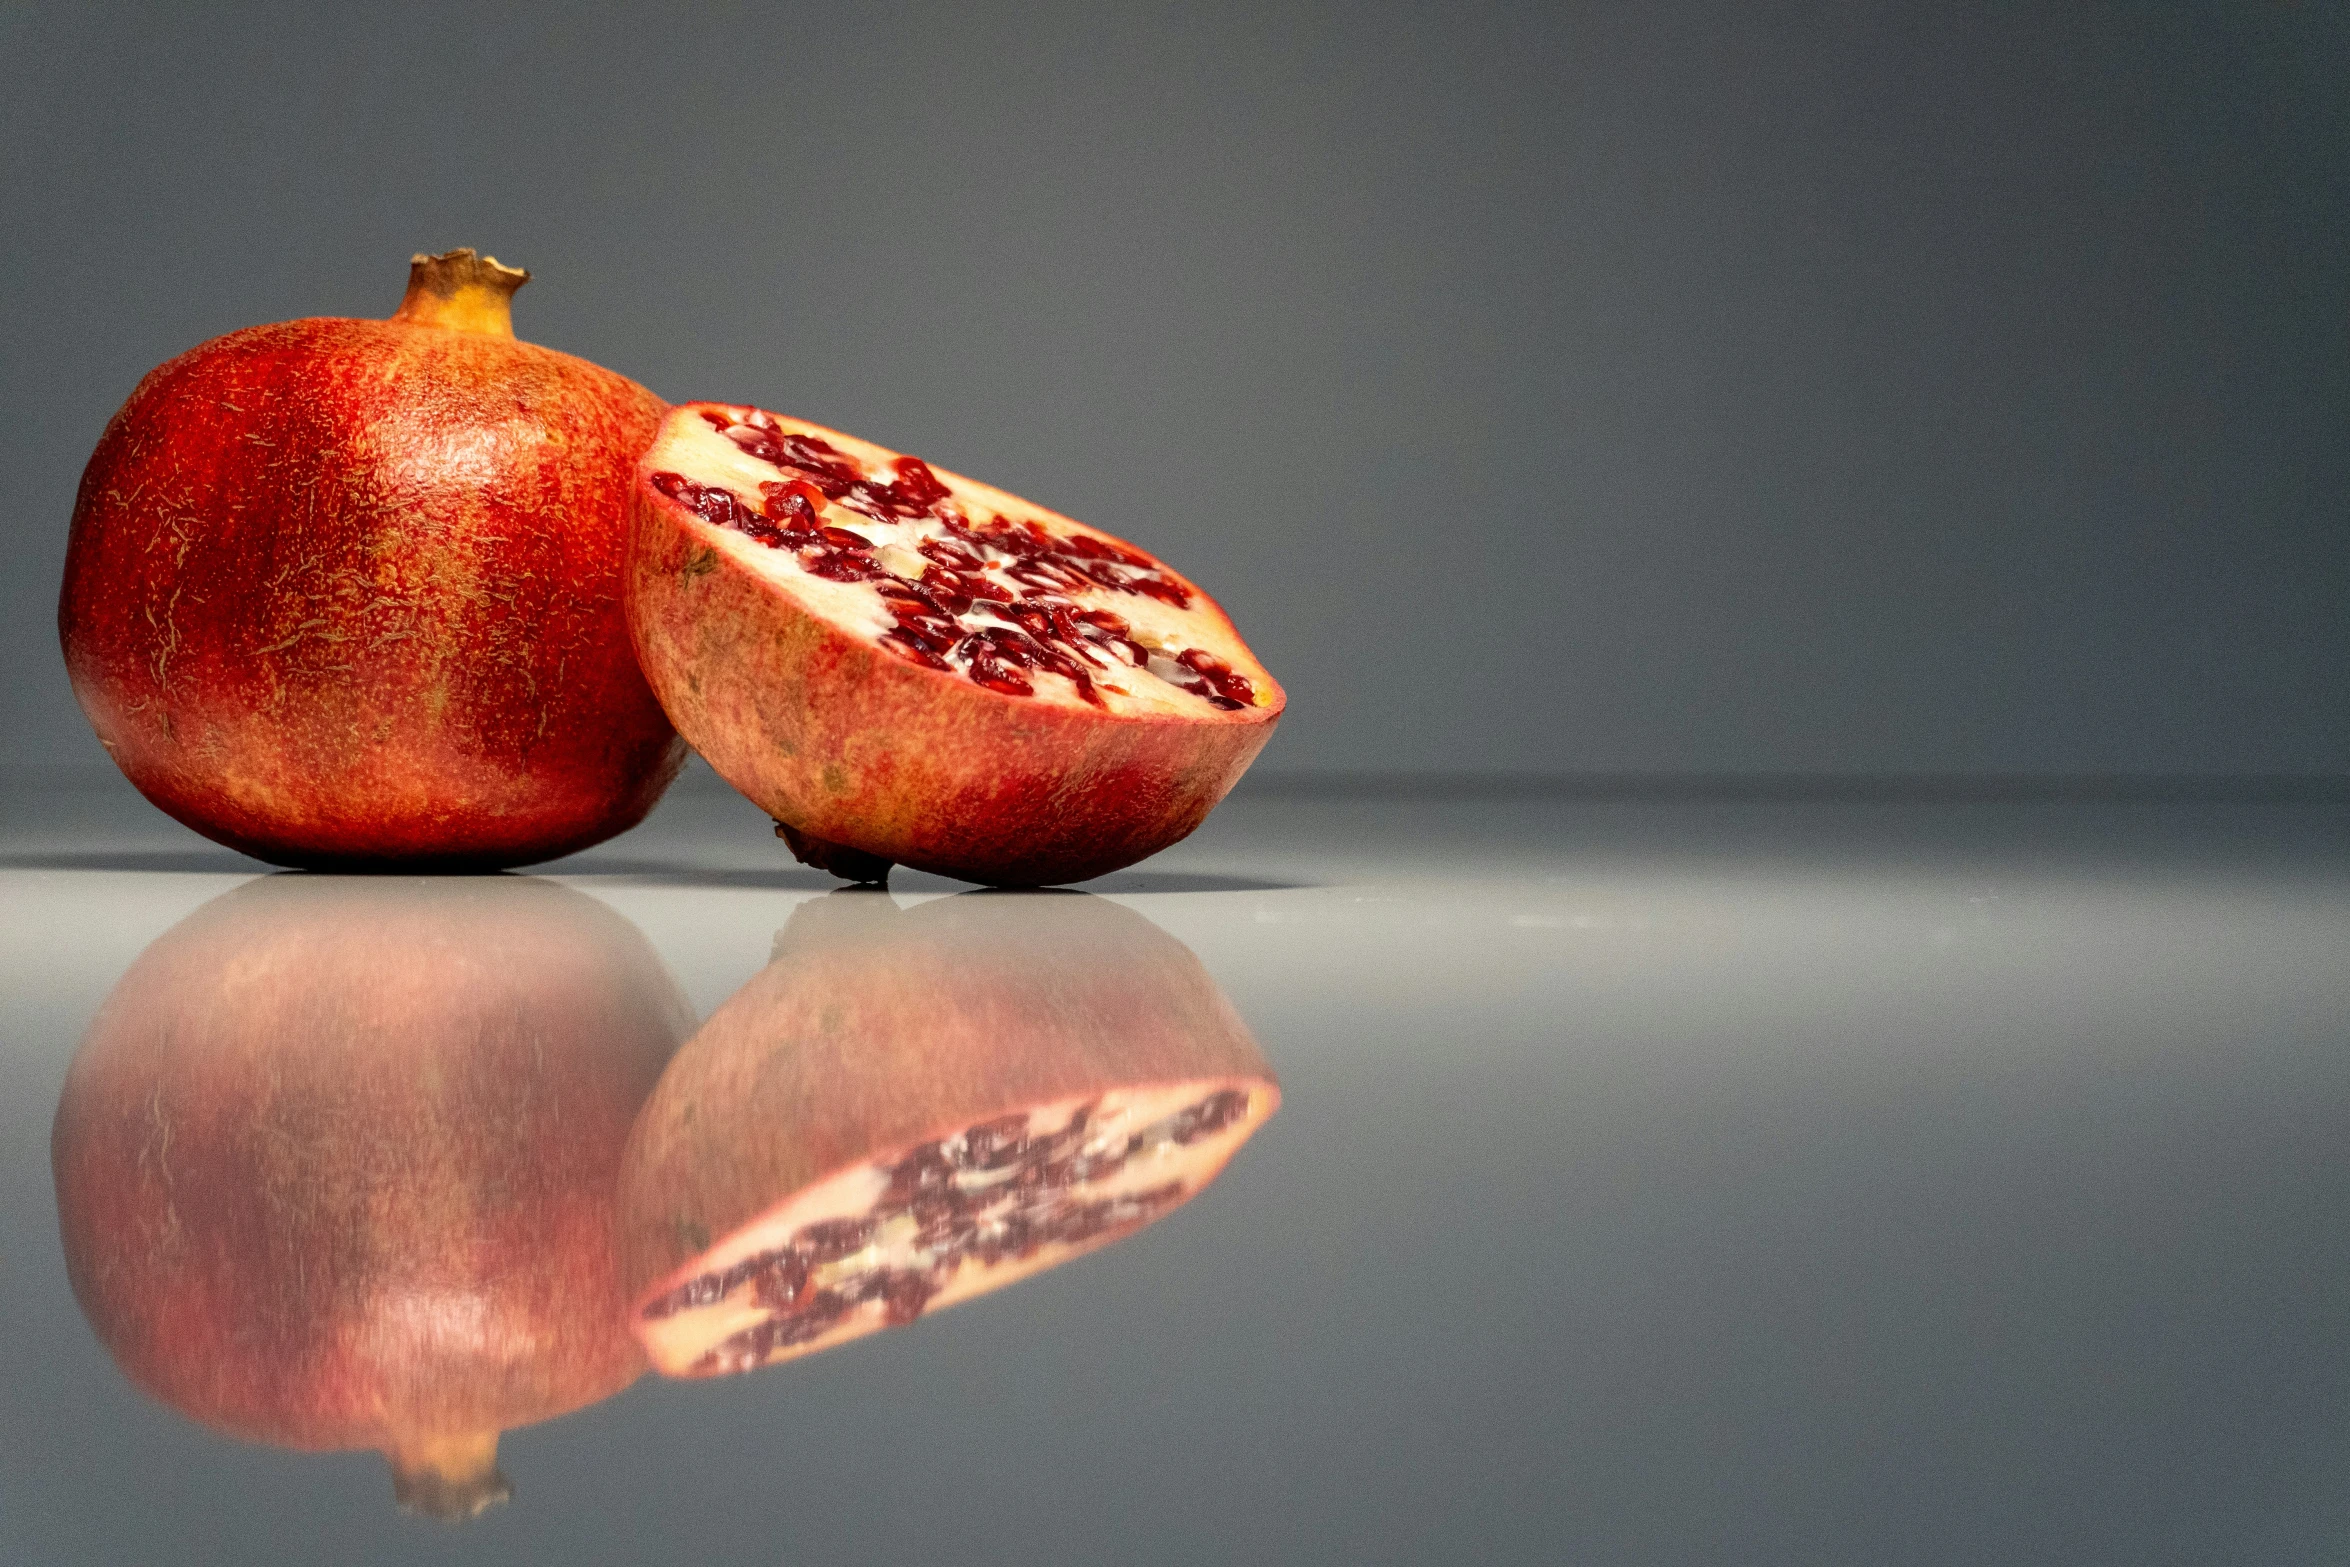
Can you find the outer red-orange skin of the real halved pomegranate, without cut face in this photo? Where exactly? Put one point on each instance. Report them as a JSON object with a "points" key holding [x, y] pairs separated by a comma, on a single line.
{"points": [[854, 746]]}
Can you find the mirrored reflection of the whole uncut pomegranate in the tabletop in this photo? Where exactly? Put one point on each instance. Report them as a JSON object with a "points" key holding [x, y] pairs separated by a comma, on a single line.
{"points": [[335, 1166]]}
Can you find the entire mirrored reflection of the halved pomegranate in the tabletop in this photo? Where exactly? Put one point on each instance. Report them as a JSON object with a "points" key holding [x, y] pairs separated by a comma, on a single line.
{"points": [[908, 1110]]}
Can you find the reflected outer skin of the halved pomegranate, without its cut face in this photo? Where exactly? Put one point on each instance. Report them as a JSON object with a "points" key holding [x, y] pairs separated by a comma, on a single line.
{"points": [[878, 1030]]}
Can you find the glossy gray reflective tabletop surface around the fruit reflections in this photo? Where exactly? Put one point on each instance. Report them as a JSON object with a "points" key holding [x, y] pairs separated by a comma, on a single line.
{"points": [[1656, 1181]]}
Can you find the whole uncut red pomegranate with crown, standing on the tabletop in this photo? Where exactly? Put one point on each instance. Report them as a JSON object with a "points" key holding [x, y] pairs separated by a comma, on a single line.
{"points": [[349, 593]]}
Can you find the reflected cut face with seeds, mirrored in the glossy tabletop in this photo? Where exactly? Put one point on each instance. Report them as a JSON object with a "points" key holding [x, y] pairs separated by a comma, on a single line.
{"points": [[939, 1223]]}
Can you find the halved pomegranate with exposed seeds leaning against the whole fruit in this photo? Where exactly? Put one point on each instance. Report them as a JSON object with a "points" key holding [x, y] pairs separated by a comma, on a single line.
{"points": [[906, 666]]}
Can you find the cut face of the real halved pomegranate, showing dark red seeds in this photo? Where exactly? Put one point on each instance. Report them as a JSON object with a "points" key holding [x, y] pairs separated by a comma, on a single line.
{"points": [[1136, 650]]}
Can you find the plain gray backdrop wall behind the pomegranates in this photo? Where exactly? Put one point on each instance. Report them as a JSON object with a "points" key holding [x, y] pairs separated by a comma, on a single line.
{"points": [[1543, 389]]}
